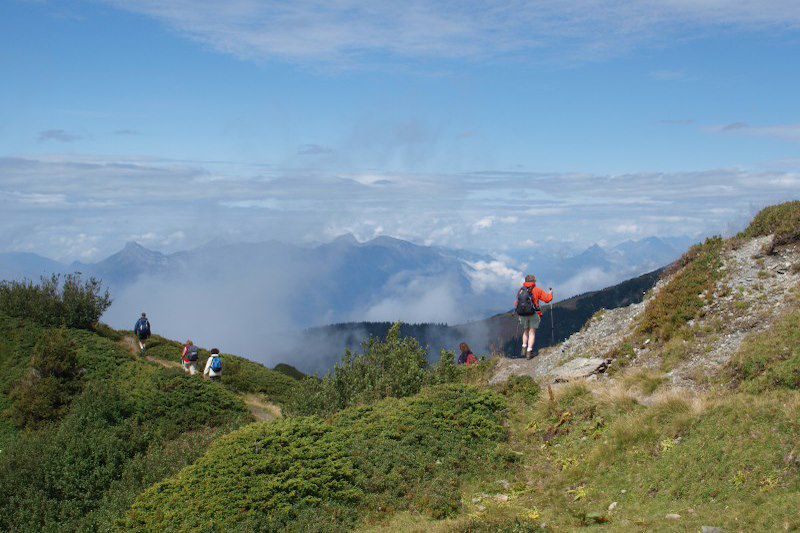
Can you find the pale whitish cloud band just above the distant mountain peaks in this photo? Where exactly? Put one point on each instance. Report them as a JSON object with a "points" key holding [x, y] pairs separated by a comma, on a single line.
{"points": [[83, 208]]}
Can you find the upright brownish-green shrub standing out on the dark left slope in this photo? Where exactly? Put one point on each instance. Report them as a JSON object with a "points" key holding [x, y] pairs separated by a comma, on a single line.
{"points": [[52, 380]]}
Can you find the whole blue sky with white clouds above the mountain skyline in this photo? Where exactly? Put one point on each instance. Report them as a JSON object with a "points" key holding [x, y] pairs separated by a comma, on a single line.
{"points": [[490, 125]]}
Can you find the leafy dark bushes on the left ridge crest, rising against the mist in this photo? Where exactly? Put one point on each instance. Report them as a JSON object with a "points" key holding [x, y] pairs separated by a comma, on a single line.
{"points": [[74, 303]]}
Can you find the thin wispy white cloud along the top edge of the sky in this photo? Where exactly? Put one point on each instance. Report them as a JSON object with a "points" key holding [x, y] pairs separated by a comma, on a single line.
{"points": [[348, 32]]}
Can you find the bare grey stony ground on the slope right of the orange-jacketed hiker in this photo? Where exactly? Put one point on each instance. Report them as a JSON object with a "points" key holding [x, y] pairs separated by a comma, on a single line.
{"points": [[755, 288]]}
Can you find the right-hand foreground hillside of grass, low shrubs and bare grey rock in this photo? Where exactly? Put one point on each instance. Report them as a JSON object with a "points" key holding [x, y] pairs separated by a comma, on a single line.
{"points": [[695, 426]]}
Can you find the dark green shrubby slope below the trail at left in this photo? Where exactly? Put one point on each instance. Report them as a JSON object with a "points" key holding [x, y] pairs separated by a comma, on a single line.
{"points": [[134, 423]]}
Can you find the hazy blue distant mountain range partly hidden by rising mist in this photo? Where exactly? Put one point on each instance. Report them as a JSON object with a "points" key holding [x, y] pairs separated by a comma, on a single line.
{"points": [[248, 297]]}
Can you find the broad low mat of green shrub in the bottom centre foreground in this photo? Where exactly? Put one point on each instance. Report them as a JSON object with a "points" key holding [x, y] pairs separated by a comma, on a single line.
{"points": [[307, 474]]}
